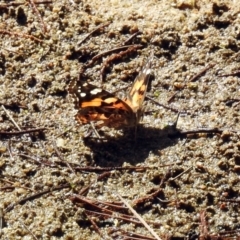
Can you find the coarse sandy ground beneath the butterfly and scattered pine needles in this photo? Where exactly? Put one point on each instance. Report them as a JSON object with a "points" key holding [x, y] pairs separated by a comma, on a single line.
{"points": [[190, 175]]}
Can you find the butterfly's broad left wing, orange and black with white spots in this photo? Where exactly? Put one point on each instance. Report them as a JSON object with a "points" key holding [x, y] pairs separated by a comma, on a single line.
{"points": [[96, 104]]}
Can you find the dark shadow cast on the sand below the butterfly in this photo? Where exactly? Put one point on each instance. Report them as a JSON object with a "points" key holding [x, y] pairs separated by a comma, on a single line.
{"points": [[114, 151]]}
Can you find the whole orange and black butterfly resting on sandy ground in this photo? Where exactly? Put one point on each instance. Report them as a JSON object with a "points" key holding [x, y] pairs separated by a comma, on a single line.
{"points": [[97, 105]]}
